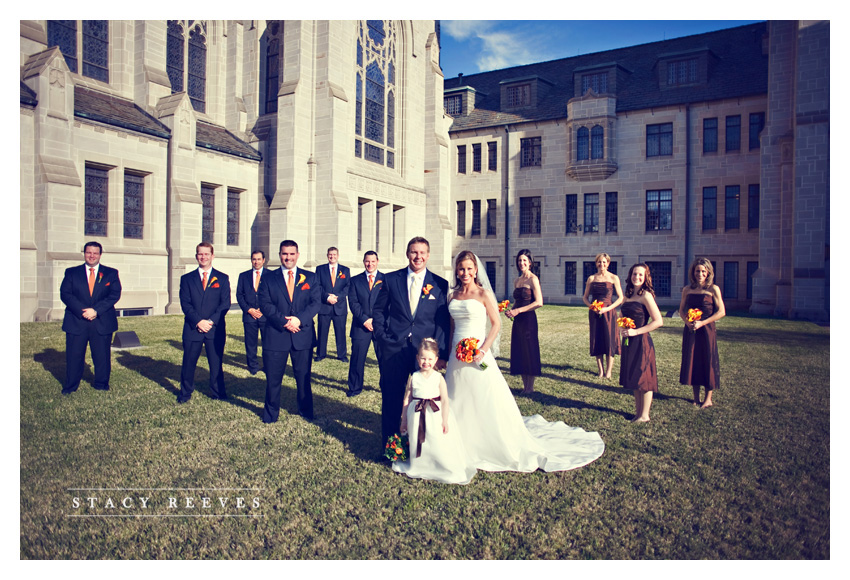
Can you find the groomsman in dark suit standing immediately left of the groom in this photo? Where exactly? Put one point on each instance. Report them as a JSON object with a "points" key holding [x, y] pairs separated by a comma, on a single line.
{"points": [[362, 294]]}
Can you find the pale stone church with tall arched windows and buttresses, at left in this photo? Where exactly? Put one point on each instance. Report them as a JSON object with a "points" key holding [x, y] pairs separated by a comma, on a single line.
{"points": [[151, 136]]}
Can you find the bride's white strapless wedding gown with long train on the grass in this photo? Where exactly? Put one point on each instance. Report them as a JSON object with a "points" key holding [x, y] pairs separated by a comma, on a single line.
{"points": [[496, 436]]}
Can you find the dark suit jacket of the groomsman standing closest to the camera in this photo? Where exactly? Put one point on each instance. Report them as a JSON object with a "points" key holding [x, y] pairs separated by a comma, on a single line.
{"points": [[276, 306]]}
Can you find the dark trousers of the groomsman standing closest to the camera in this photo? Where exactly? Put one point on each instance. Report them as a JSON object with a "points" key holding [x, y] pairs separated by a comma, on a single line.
{"points": [[275, 364]]}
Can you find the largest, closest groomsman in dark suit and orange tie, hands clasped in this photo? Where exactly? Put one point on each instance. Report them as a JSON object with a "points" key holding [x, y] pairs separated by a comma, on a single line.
{"points": [[289, 299]]}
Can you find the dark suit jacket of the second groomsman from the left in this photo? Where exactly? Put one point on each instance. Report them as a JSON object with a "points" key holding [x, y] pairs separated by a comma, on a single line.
{"points": [[199, 304]]}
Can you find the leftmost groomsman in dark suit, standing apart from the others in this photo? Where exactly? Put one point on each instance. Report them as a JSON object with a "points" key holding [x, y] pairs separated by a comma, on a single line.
{"points": [[89, 292]]}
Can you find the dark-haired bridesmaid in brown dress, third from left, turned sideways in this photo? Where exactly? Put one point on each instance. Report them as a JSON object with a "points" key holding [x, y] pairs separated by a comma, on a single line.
{"points": [[637, 360]]}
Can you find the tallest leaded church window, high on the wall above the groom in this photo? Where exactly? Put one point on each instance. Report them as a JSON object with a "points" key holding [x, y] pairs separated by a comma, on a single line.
{"points": [[376, 107]]}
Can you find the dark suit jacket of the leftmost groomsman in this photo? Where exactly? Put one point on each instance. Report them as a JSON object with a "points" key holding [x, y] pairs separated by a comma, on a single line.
{"points": [[74, 293]]}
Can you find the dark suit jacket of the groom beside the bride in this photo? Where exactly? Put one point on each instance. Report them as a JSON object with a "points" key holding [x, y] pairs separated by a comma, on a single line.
{"points": [[395, 325]]}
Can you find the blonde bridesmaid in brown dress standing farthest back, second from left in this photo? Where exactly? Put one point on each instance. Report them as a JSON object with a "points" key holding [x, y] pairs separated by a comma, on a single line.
{"points": [[604, 338]]}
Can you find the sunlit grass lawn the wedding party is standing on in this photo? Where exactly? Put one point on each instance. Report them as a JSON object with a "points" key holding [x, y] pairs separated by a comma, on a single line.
{"points": [[746, 479]]}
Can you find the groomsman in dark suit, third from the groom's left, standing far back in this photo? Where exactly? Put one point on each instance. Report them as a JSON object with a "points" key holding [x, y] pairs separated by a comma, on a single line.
{"points": [[334, 279]]}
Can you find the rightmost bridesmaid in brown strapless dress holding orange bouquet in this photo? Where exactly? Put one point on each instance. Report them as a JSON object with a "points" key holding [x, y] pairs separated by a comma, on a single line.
{"points": [[700, 363]]}
